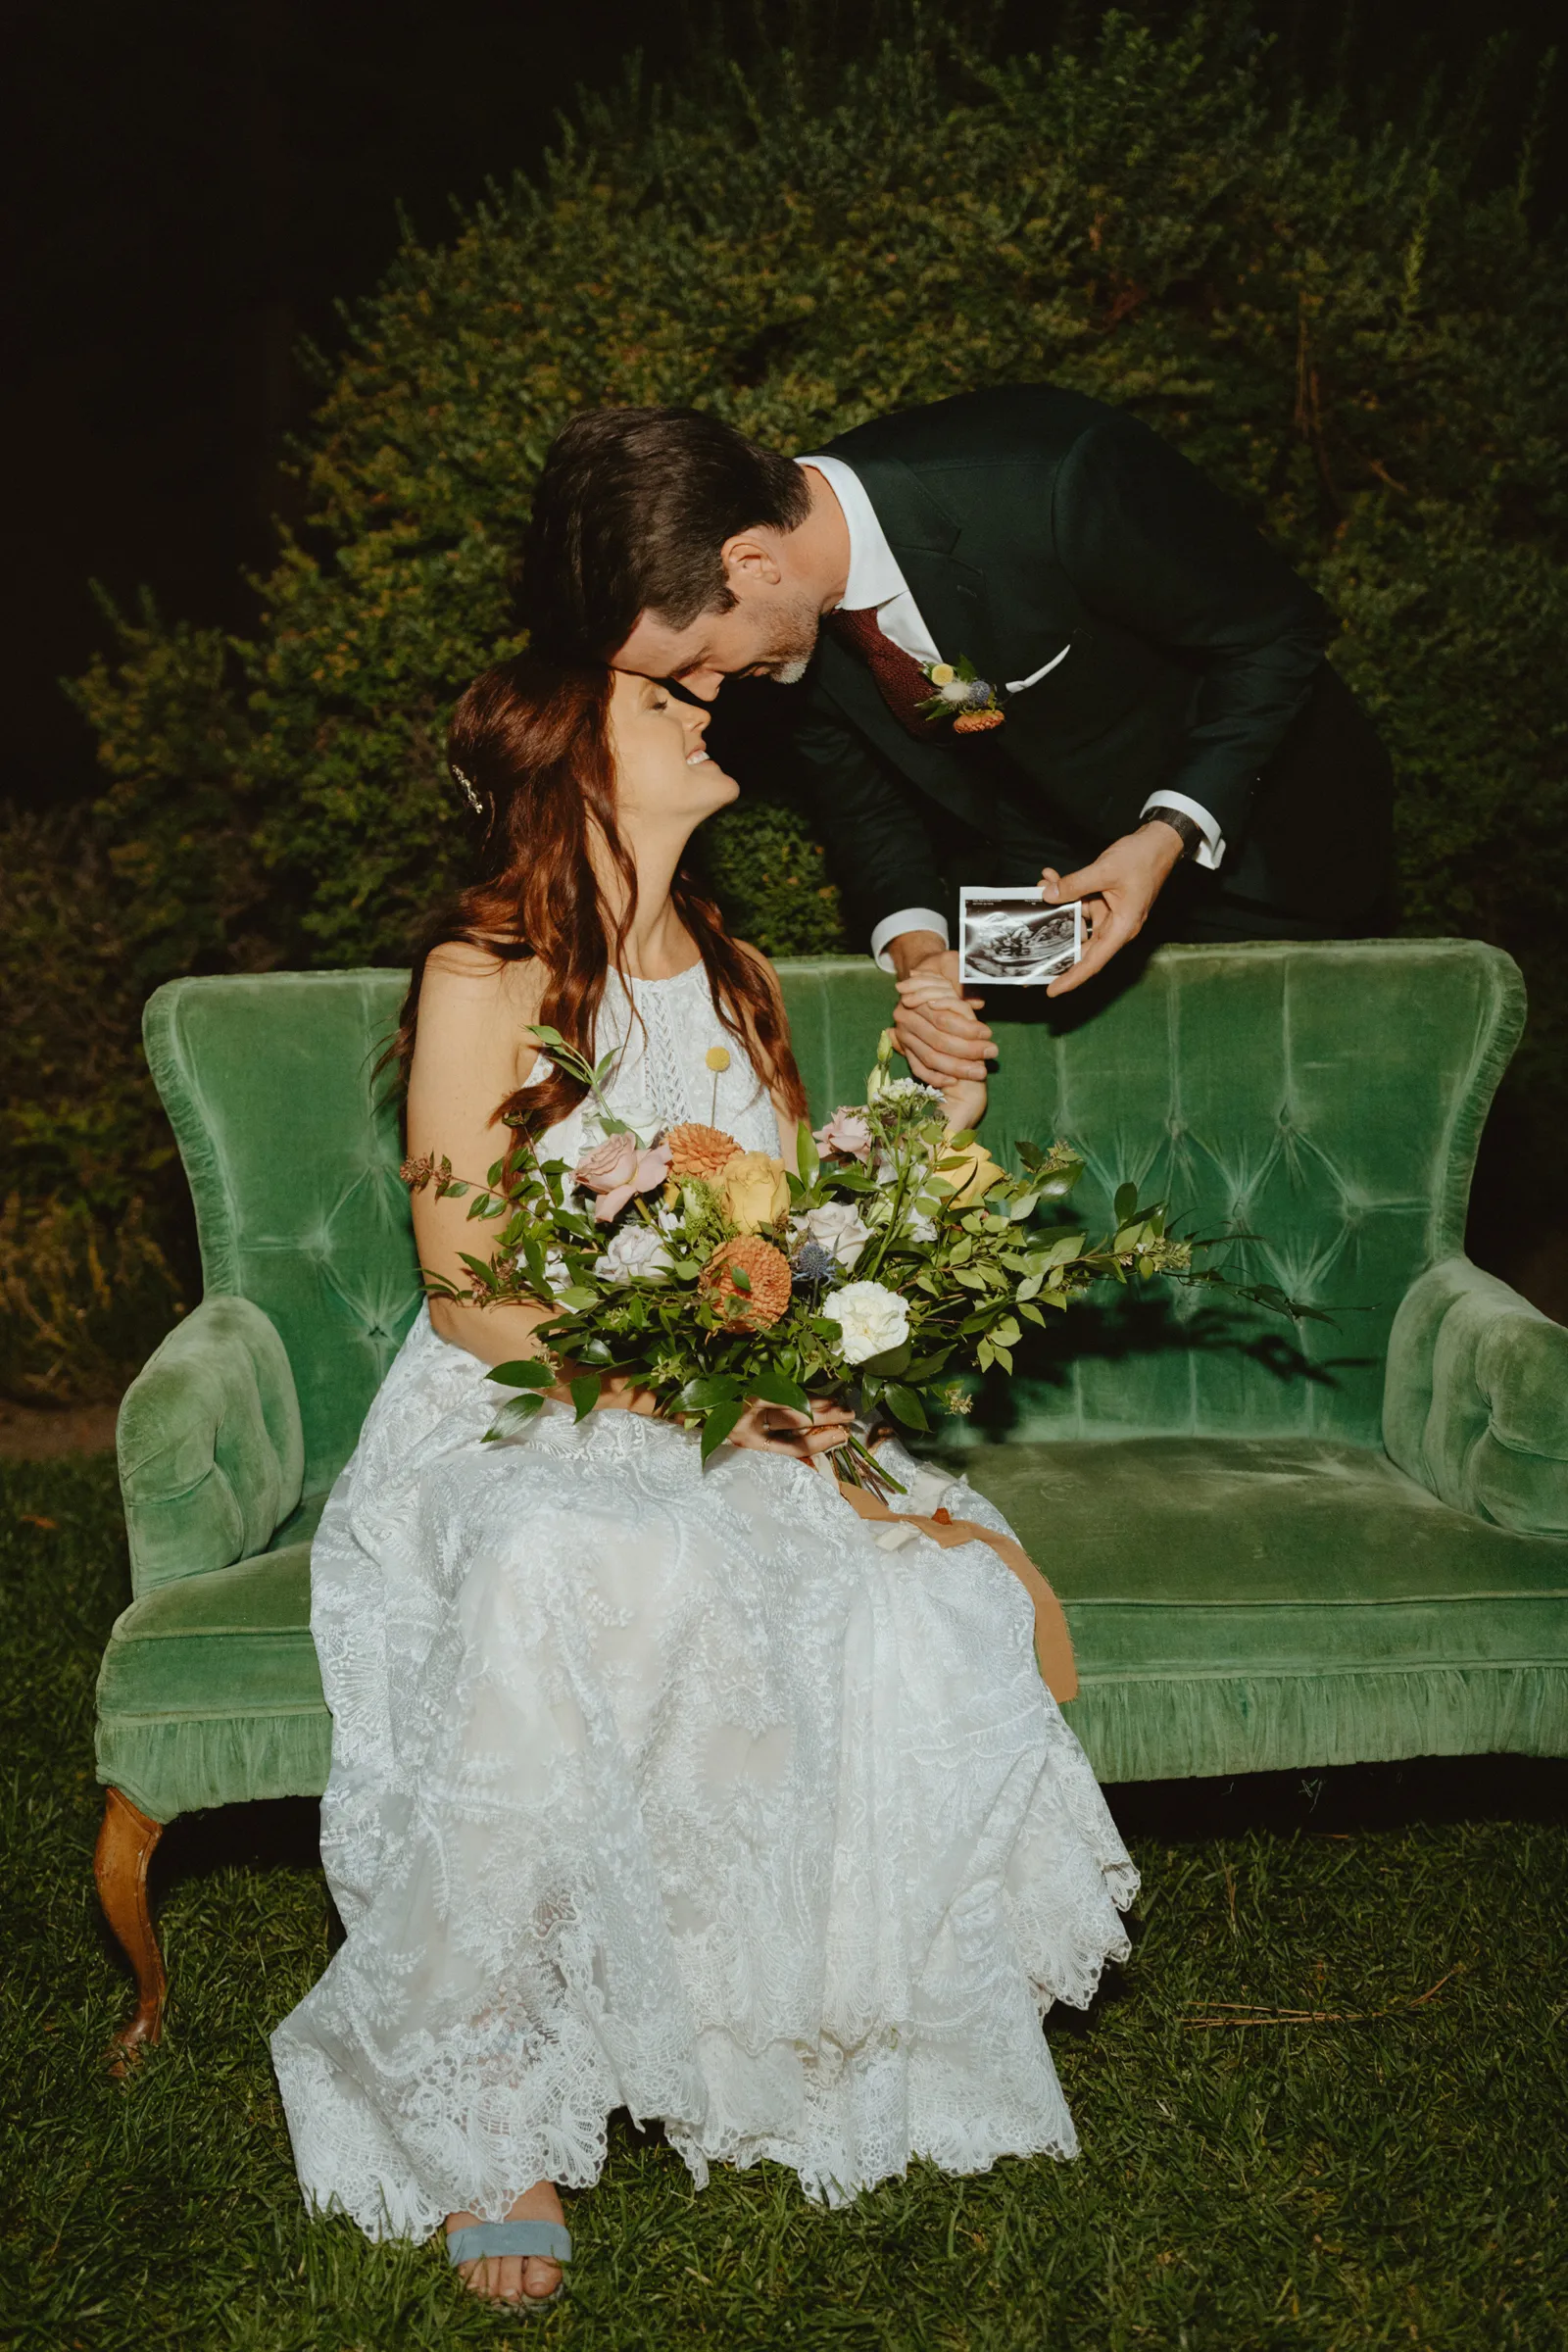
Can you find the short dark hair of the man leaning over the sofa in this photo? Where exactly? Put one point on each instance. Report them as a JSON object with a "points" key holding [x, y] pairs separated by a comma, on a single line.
{"points": [[631, 516]]}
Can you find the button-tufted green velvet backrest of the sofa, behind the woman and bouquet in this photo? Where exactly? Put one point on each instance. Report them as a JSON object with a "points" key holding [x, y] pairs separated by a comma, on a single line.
{"points": [[1325, 1097]]}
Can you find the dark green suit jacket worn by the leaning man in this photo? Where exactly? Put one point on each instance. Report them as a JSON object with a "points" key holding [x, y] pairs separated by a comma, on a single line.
{"points": [[1028, 521]]}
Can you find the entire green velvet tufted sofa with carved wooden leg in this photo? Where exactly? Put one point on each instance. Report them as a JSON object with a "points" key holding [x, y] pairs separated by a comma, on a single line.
{"points": [[1278, 1546]]}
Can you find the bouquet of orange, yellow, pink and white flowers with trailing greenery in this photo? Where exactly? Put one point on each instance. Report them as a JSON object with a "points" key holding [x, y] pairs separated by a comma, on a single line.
{"points": [[876, 1271]]}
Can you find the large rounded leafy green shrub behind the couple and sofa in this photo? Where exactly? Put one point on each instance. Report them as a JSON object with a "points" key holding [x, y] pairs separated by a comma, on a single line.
{"points": [[1343, 330]]}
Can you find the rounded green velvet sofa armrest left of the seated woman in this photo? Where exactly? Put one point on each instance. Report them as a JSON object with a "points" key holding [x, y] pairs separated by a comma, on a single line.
{"points": [[210, 1445]]}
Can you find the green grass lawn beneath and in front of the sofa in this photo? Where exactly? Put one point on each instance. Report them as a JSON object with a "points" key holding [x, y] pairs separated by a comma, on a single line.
{"points": [[1391, 2174]]}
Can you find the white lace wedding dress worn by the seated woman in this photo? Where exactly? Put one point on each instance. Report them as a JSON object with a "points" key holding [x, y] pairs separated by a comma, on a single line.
{"points": [[671, 1789]]}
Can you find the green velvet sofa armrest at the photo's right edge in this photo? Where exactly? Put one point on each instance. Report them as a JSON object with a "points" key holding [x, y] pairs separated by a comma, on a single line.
{"points": [[1475, 1401]]}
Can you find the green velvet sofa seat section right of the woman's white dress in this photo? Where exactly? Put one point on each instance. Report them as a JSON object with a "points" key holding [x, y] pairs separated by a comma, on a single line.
{"points": [[1245, 1605]]}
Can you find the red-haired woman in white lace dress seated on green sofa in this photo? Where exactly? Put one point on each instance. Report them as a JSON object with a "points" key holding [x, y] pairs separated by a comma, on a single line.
{"points": [[652, 1786]]}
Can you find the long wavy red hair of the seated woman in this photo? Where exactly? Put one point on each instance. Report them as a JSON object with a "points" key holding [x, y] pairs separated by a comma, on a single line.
{"points": [[532, 742]]}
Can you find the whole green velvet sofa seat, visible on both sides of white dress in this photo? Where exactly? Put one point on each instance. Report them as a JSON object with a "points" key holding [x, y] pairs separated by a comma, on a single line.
{"points": [[1238, 1605]]}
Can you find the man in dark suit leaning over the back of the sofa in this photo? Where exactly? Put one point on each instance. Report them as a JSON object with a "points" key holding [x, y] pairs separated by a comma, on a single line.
{"points": [[1165, 737]]}
